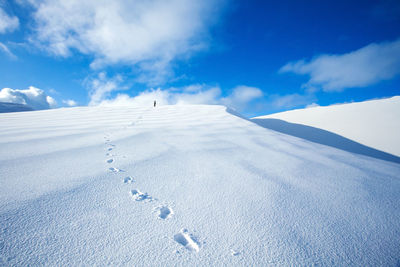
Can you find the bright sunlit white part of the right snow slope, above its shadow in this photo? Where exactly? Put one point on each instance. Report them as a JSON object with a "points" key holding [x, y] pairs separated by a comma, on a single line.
{"points": [[374, 123]]}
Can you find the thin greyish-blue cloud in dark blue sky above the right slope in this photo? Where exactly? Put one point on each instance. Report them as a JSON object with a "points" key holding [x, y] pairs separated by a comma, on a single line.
{"points": [[360, 68]]}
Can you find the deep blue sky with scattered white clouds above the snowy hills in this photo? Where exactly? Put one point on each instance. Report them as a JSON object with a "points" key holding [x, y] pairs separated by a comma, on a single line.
{"points": [[257, 57]]}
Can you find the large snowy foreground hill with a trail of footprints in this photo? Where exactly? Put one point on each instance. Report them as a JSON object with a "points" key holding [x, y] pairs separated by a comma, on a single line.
{"points": [[186, 185]]}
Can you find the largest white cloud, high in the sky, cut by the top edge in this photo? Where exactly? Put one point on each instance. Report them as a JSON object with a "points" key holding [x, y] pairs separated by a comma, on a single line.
{"points": [[146, 34]]}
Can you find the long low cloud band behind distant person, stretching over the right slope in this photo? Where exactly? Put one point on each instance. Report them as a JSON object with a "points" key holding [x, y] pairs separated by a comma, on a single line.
{"points": [[241, 98]]}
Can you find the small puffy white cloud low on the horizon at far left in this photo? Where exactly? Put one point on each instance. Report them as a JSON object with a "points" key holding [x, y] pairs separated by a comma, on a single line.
{"points": [[32, 97]]}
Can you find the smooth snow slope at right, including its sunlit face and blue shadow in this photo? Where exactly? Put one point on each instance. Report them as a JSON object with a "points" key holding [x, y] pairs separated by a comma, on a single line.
{"points": [[371, 124]]}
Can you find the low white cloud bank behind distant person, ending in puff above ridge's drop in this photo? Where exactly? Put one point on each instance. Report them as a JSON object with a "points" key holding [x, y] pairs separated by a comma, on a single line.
{"points": [[240, 98]]}
